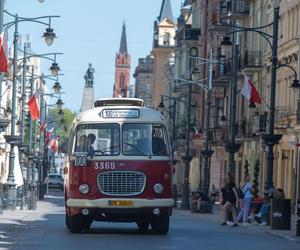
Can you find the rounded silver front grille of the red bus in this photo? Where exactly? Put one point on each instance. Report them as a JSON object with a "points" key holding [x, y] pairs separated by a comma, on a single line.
{"points": [[121, 182]]}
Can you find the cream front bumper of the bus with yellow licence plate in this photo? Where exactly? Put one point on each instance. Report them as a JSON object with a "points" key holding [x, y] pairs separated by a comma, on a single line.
{"points": [[119, 203]]}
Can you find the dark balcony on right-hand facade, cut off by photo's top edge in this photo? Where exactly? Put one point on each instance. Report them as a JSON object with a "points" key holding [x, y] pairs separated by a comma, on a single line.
{"points": [[242, 9]]}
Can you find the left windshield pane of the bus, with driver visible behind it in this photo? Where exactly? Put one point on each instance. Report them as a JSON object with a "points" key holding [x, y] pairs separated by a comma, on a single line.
{"points": [[98, 139]]}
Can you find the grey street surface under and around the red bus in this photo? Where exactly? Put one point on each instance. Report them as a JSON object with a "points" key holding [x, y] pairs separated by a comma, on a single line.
{"points": [[45, 229]]}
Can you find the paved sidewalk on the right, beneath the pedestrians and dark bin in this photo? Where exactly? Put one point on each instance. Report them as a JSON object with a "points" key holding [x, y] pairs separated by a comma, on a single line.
{"points": [[217, 217]]}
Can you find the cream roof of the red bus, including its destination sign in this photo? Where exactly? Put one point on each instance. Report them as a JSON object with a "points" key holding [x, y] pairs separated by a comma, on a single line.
{"points": [[129, 109]]}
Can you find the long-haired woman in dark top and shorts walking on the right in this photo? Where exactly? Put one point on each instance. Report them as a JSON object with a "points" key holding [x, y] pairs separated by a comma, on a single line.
{"points": [[228, 199]]}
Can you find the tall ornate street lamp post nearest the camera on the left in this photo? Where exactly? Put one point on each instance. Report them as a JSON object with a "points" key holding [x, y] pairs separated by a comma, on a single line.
{"points": [[13, 139]]}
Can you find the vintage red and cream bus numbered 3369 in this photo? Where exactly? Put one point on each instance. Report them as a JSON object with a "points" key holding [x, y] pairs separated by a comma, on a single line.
{"points": [[119, 167]]}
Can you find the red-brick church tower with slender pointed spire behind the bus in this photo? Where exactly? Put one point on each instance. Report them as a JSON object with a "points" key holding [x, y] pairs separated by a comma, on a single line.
{"points": [[122, 68]]}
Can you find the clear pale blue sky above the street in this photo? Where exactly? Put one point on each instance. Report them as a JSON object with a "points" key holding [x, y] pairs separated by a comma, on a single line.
{"points": [[89, 31]]}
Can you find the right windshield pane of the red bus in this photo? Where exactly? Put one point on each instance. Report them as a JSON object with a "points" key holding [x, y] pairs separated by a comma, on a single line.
{"points": [[144, 139]]}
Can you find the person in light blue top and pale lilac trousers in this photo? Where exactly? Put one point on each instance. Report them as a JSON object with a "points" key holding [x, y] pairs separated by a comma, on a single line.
{"points": [[246, 188]]}
